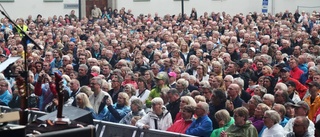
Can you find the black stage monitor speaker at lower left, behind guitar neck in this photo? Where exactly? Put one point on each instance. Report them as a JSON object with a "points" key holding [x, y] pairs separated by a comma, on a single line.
{"points": [[73, 113]]}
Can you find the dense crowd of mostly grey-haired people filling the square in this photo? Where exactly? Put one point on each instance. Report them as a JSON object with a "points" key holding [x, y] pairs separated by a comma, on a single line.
{"points": [[210, 75]]}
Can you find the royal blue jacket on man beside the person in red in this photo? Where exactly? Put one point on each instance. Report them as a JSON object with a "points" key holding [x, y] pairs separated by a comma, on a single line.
{"points": [[202, 127]]}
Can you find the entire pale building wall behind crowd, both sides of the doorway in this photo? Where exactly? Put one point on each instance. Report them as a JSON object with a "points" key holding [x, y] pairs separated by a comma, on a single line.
{"points": [[23, 8]]}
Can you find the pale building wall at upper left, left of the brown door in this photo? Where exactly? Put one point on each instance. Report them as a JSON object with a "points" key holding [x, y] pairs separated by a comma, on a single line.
{"points": [[23, 8]]}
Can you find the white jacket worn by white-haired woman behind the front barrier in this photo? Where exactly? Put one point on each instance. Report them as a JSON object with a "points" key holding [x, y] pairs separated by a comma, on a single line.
{"points": [[163, 124]]}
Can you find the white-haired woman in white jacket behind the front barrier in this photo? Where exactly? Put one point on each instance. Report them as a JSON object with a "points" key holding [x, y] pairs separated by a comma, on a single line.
{"points": [[159, 118]]}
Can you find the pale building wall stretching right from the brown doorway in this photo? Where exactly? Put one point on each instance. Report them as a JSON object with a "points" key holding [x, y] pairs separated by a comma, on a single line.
{"points": [[229, 6]]}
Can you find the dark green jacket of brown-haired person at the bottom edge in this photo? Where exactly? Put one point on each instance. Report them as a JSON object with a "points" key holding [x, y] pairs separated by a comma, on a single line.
{"points": [[247, 130]]}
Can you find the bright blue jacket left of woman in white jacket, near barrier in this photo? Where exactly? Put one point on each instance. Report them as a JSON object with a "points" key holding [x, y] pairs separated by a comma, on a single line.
{"points": [[116, 113]]}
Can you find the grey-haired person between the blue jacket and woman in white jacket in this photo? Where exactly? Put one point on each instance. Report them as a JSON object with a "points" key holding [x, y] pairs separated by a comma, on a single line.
{"points": [[136, 113]]}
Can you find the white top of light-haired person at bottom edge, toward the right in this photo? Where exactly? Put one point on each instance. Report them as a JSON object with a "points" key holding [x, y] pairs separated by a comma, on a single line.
{"points": [[275, 131]]}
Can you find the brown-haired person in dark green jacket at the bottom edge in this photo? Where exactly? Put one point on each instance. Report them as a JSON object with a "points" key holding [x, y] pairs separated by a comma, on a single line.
{"points": [[242, 126]]}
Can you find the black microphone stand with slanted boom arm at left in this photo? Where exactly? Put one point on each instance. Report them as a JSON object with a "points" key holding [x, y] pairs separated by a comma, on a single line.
{"points": [[24, 98]]}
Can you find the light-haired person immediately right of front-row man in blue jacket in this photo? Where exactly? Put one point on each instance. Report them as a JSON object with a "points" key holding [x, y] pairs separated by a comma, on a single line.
{"points": [[224, 120]]}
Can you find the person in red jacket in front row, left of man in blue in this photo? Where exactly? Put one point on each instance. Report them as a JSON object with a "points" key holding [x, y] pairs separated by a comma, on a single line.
{"points": [[181, 125]]}
